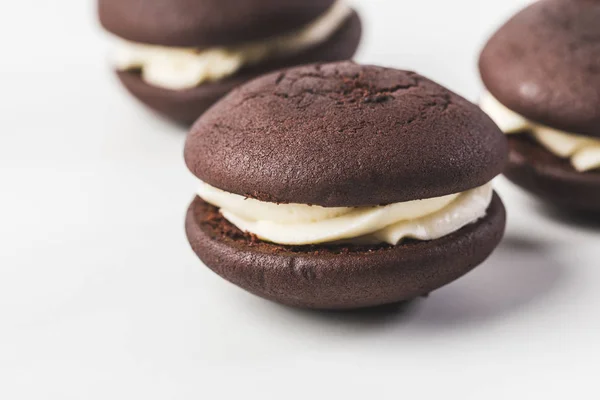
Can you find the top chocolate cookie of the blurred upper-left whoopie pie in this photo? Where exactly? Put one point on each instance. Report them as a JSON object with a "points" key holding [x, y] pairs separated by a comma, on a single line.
{"points": [[206, 23]]}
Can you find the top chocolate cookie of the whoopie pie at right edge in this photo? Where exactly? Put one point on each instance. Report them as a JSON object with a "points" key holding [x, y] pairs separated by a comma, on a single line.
{"points": [[545, 64]]}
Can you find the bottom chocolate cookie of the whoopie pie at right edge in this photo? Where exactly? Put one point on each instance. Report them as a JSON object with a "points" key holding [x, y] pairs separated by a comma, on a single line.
{"points": [[551, 178]]}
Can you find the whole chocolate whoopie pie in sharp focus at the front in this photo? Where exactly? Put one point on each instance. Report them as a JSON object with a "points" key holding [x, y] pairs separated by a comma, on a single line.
{"points": [[343, 186]]}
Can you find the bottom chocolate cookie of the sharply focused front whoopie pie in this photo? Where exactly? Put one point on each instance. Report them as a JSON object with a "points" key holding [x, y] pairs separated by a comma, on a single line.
{"points": [[340, 277]]}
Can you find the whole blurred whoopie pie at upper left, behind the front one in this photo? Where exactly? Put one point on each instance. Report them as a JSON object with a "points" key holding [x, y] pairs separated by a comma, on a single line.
{"points": [[180, 56]]}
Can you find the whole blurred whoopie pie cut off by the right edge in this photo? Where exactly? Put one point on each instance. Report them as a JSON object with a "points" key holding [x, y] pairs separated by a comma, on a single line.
{"points": [[542, 72]]}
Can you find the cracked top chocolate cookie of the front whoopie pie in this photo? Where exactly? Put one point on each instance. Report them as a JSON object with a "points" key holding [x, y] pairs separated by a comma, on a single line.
{"points": [[342, 134]]}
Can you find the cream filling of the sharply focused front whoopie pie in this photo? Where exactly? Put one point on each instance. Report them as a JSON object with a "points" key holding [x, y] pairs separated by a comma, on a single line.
{"points": [[301, 224]]}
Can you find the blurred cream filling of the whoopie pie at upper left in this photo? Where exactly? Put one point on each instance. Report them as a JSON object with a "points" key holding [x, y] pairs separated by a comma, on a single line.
{"points": [[178, 68]]}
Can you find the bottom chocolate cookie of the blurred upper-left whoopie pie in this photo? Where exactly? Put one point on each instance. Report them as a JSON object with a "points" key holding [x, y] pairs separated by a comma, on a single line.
{"points": [[185, 106]]}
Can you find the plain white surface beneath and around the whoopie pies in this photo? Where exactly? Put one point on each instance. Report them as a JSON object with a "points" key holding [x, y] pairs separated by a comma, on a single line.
{"points": [[101, 298]]}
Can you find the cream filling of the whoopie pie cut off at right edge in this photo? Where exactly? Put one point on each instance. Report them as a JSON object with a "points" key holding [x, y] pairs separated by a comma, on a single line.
{"points": [[583, 151]]}
